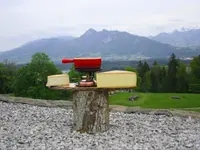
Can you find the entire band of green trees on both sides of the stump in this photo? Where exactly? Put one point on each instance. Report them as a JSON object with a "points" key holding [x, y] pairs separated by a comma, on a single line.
{"points": [[30, 80]]}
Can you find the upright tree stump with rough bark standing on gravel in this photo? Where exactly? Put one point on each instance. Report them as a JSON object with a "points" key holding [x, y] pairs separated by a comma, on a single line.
{"points": [[90, 111]]}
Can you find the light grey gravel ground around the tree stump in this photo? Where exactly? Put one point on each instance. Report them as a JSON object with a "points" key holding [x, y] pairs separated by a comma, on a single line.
{"points": [[31, 127]]}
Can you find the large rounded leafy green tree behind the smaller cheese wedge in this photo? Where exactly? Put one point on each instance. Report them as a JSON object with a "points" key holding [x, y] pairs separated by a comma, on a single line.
{"points": [[31, 79]]}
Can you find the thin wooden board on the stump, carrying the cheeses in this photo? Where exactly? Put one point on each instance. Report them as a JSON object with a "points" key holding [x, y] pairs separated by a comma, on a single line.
{"points": [[73, 87]]}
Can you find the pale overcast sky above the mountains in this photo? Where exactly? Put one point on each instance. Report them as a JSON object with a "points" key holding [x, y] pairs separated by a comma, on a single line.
{"points": [[26, 20]]}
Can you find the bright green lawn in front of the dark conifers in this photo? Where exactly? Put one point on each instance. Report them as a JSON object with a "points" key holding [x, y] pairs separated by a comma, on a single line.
{"points": [[156, 100]]}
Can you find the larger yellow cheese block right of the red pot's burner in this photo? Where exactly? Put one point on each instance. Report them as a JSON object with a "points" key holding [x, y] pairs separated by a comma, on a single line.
{"points": [[116, 79]]}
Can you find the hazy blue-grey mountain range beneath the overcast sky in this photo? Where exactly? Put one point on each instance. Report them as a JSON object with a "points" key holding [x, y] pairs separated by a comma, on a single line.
{"points": [[110, 45]]}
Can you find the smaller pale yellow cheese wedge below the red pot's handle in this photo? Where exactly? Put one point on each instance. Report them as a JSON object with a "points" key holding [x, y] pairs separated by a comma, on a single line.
{"points": [[58, 80]]}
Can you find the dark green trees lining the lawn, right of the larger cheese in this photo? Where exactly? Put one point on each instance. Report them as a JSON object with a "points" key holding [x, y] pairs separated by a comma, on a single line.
{"points": [[176, 76]]}
